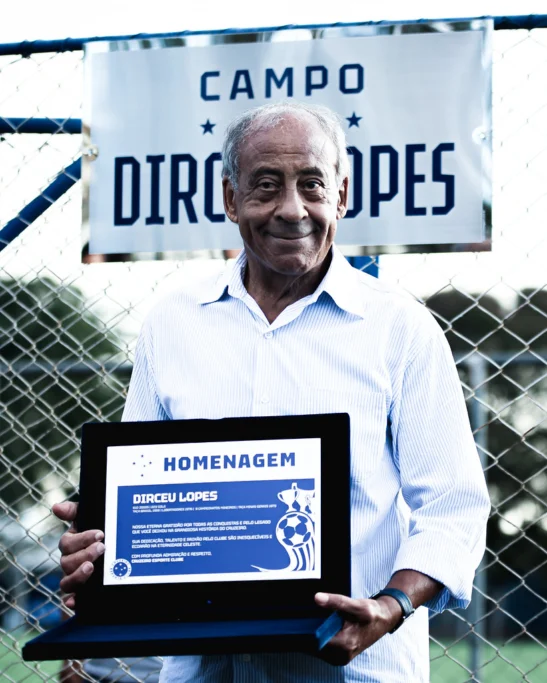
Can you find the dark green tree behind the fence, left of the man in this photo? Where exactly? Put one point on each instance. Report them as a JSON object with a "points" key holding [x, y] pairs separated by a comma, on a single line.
{"points": [[52, 348]]}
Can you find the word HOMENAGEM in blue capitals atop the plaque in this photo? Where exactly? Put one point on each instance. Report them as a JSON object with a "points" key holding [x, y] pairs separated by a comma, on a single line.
{"points": [[224, 462]]}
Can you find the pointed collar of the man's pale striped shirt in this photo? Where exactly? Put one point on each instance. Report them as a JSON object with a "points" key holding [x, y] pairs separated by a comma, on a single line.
{"points": [[341, 283]]}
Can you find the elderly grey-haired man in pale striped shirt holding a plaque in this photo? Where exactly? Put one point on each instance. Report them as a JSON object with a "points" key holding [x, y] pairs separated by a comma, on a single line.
{"points": [[293, 329]]}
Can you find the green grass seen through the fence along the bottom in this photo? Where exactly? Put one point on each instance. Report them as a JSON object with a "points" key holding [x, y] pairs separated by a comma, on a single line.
{"points": [[530, 659]]}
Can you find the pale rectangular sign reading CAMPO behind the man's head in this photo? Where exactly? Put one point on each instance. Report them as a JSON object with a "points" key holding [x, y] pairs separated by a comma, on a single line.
{"points": [[415, 107]]}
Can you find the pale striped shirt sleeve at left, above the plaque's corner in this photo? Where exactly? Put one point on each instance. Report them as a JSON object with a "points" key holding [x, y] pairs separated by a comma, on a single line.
{"points": [[142, 401]]}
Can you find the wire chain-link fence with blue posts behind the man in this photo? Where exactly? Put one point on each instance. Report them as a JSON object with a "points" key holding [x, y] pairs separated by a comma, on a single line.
{"points": [[67, 334]]}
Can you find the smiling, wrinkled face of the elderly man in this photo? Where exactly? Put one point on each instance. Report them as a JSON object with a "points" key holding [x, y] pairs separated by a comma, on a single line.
{"points": [[288, 201]]}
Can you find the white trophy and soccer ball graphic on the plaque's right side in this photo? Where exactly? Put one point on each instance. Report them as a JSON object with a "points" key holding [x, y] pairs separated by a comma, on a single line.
{"points": [[296, 529]]}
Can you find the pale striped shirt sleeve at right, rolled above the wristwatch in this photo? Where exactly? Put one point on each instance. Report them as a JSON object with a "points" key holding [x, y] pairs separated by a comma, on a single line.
{"points": [[441, 476]]}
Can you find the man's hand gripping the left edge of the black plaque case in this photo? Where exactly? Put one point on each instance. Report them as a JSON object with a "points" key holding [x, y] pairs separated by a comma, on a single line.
{"points": [[78, 552]]}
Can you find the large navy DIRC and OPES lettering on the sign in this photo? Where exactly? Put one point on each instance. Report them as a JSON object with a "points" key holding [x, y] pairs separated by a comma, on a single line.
{"points": [[160, 176]]}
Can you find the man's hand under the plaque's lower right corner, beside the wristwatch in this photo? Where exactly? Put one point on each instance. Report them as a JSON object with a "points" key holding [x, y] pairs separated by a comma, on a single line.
{"points": [[365, 622]]}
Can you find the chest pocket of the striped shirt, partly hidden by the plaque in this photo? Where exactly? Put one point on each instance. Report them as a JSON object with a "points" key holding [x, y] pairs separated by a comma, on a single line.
{"points": [[368, 423]]}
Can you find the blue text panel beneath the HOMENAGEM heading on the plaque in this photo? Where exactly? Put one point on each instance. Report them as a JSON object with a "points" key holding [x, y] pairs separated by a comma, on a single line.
{"points": [[236, 528]]}
